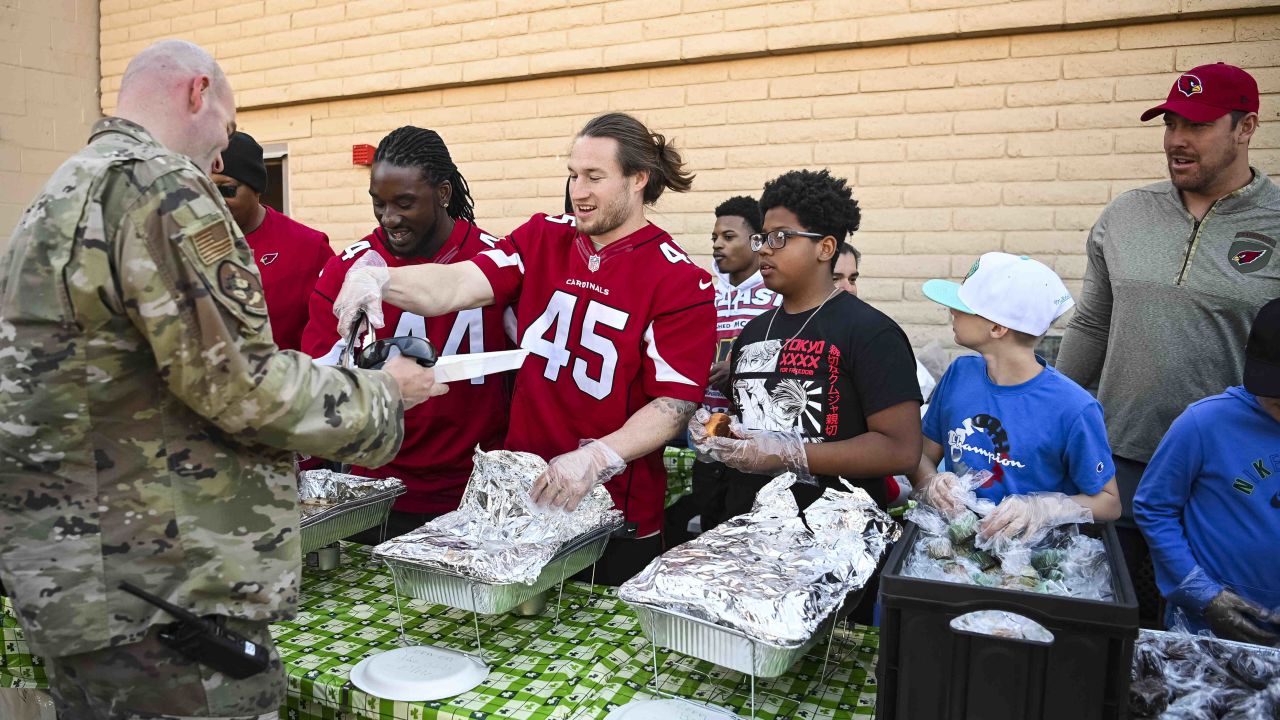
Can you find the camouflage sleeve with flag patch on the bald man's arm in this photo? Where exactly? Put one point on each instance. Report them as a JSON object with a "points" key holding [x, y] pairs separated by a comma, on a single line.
{"points": [[193, 290]]}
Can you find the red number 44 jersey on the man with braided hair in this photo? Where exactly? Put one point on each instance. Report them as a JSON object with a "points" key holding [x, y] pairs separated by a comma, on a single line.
{"points": [[442, 434]]}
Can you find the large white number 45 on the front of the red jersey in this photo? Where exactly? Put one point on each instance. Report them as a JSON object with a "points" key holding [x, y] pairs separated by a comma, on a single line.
{"points": [[557, 318]]}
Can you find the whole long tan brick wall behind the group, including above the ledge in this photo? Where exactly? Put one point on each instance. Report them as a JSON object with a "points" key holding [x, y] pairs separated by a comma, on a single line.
{"points": [[1002, 139]]}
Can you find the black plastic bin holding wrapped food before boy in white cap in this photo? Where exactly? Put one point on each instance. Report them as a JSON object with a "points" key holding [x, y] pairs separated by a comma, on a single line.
{"points": [[931, 672]]}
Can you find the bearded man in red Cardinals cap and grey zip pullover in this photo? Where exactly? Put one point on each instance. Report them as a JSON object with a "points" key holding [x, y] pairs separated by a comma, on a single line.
{"points": [[1177, 274]]}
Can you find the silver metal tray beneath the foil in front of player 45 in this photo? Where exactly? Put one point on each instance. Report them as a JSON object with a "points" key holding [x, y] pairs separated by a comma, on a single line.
{"points": [[455, 590]]}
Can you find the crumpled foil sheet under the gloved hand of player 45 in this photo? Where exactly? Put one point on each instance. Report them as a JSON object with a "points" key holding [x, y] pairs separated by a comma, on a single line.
{"points": [[497, 535]]}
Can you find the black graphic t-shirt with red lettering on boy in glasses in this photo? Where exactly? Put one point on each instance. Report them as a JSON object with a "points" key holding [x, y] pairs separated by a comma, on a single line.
{"points": [[849, 362]]}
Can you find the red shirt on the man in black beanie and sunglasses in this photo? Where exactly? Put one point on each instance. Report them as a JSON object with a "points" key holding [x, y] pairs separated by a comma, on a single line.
{"points": [[290, 256]]}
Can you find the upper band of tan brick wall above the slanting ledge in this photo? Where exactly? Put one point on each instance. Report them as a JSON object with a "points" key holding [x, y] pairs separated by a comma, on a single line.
{"points": [[282, 52]]}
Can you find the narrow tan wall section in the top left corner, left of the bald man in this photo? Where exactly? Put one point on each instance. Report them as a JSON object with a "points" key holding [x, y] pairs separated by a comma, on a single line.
{"points": [[49, 84]]}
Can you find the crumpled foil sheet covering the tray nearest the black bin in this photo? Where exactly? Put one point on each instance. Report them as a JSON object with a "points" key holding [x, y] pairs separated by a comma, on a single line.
{"points": [[774, 575]]}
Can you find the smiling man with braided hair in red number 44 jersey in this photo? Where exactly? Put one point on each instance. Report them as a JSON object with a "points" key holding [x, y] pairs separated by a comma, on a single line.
{"points": [[426, 217]]}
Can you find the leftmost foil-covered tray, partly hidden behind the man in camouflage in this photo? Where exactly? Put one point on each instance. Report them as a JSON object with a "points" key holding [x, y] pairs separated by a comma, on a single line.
{"points": [[337, 505]]}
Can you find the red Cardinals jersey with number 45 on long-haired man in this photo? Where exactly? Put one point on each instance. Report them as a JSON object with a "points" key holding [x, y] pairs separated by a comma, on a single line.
{"points": [[609, 332]]}
